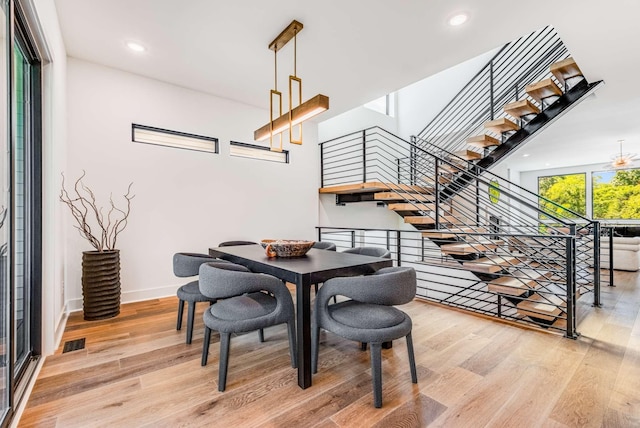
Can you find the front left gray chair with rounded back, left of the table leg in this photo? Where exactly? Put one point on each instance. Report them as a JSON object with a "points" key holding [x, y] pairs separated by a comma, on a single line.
{"points": [[245, 305]]}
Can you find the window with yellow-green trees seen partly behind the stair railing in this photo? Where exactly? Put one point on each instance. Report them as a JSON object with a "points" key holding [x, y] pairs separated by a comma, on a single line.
{"points": [[568, 190]]}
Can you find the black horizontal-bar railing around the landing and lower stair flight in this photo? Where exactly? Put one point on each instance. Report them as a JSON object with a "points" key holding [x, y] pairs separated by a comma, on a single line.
{"points": [[549, 254]]}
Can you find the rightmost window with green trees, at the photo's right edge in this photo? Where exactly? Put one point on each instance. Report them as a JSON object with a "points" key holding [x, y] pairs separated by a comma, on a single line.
{"points": [[616, 194]]}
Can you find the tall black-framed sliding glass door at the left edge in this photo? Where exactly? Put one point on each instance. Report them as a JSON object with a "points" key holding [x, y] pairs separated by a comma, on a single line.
{"points": [[20, 207]]}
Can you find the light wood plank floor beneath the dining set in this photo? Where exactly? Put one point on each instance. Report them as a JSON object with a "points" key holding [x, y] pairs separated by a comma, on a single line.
{"points": [[136, 371]]}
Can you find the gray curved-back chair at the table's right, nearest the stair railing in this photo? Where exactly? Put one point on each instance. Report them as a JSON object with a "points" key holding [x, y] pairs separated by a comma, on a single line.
{"points": [[368, 317]]}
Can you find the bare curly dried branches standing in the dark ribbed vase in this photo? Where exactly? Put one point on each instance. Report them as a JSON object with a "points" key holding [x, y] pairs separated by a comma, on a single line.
{"points": [[84, 208]]}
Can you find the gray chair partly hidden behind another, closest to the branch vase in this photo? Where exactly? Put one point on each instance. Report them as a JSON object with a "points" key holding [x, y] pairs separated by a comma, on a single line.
{"points": [[186, 265]]}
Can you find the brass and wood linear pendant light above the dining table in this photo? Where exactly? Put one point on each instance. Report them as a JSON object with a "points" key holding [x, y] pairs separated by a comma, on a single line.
{"points": [[279, 122]]}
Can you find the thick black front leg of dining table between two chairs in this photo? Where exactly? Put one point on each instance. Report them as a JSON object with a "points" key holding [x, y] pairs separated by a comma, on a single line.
{"points": [[303, 326]]}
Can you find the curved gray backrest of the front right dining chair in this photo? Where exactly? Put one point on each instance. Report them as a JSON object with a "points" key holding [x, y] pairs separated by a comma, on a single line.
{"points": [[388, 286]]}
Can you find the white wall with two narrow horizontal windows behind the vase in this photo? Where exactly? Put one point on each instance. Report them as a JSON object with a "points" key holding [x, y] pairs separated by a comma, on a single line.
{"points": [[185, 200]]}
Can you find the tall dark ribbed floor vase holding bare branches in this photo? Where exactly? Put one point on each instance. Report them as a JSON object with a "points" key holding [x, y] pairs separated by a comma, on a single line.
{"points": [[101, 284]]}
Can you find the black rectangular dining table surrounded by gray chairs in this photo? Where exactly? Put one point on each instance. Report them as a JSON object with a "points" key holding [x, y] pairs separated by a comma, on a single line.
{"points": [[315, 267]]}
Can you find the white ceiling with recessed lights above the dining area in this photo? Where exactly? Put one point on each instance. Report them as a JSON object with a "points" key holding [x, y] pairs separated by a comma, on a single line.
{"points": [[357, 50]]}
